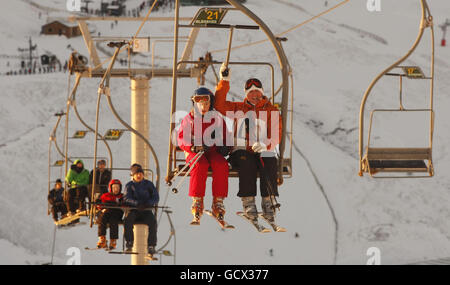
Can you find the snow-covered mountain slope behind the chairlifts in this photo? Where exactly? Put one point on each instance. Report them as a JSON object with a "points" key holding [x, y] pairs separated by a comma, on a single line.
{"points": [[337, 214]]}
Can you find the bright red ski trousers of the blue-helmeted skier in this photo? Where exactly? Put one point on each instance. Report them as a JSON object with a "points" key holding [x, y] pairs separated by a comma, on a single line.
{"points": [[199, 174]]}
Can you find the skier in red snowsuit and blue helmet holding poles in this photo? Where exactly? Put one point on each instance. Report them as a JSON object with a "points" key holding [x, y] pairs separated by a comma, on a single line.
{"points": [[203, 130]]}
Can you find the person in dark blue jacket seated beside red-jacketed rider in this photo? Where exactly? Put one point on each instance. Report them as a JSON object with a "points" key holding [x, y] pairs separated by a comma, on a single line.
{"points": [[142, 194]]}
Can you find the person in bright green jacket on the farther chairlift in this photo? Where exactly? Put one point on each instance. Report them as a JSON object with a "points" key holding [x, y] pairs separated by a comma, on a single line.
{"points": [[77, 178]]}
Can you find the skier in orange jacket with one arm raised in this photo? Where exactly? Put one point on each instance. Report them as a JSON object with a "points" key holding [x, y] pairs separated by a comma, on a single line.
{"points": [[254, 154]]}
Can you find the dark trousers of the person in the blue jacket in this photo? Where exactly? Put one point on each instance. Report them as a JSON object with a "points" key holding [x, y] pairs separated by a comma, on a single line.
{"points": [[140, 217]]}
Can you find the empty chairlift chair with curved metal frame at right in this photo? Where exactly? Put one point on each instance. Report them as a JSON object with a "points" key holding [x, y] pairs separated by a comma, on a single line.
{"points": [[401, 162]]}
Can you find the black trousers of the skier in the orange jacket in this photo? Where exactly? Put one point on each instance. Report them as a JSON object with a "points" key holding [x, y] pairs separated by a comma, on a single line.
{"points": [[248, 165]]}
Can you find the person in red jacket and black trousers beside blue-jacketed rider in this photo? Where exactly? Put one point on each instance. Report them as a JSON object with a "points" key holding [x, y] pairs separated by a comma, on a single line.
{"points": [[111, 216]]}
